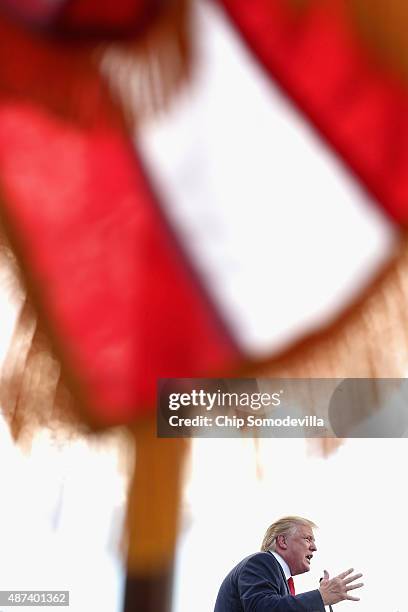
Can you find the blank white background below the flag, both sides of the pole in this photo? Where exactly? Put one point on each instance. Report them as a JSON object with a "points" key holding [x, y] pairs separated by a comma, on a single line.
{"points": [[61, 512]]}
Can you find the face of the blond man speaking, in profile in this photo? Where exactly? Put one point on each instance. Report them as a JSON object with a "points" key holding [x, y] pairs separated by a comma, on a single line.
{"points": [[298, 549]]}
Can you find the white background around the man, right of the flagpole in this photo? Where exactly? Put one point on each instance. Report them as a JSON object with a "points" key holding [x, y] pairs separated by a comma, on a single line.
{"points": [[356, 497]]}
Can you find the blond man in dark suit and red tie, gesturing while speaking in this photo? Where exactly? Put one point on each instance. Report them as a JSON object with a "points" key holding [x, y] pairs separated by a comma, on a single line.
{"points": [[263, 581]]}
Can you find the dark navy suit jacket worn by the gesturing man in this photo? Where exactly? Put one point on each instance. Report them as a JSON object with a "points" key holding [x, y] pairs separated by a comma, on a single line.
{"points": [[258, 584]]}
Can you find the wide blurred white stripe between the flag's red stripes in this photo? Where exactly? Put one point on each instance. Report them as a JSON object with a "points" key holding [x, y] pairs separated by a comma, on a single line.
{"points": [[281, 235]]}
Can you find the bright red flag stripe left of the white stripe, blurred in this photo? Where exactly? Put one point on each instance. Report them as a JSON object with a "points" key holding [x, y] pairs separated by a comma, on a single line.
{"points": [[120, 301]]}
